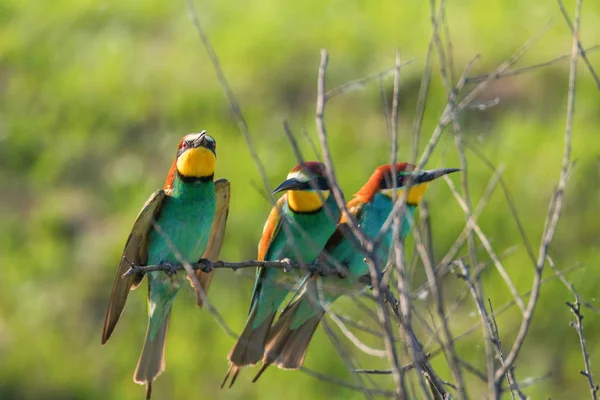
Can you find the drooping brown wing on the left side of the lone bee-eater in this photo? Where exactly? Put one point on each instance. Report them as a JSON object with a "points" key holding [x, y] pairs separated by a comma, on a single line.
{"points": [[135, 253]]}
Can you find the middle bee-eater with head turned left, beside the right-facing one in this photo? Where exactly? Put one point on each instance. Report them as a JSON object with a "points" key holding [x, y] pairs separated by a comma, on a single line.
{"points": [[309, 223]]}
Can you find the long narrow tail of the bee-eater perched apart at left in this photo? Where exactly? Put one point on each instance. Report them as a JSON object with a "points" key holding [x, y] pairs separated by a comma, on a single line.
{"points": [[152, 361]]}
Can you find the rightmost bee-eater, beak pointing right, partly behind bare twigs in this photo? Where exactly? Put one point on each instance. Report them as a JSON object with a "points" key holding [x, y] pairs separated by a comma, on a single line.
{"points": [[290, 336]]}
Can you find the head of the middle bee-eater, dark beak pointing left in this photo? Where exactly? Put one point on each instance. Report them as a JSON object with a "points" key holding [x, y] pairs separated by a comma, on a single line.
{"points": [[303, 184]]}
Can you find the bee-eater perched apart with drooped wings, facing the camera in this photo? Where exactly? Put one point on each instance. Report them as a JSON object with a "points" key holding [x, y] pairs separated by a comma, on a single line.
{"points": [[191, 212]]}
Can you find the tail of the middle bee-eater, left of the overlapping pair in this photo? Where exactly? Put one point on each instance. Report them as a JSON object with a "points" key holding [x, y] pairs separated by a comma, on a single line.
{"points": [[250, 346]]}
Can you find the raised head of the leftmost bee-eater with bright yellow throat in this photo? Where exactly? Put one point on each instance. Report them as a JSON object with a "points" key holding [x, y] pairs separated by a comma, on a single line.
{"points": [[195, 159]]}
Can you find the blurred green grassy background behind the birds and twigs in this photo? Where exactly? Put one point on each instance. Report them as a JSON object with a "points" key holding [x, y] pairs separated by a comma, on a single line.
{"points": [[94, 96]]}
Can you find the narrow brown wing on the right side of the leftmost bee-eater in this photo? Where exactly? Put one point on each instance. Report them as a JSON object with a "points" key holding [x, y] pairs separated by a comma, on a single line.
{"points": [[217, 233]]}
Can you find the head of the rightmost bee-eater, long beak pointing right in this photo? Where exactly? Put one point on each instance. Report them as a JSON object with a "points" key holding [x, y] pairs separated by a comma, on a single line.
{"points": [[384, 181]]}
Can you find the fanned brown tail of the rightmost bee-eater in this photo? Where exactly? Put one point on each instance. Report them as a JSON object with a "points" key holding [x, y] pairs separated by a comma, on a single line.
{"points": [[287, 344]]}
